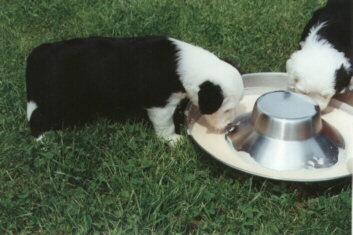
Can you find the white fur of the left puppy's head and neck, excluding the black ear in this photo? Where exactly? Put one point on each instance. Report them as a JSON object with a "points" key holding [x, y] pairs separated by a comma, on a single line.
{"points": [[195, 66]]}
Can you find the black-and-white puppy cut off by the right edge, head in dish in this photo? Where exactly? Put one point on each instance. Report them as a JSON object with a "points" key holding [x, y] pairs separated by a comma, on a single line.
{"points": [[323, 65]]}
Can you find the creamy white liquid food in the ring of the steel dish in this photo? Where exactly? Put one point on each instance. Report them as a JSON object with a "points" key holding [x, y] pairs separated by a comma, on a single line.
{"points": [[217, 145]]}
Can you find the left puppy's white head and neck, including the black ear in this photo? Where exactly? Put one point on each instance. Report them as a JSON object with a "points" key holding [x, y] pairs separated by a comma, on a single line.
{"points": [[212, 84]]}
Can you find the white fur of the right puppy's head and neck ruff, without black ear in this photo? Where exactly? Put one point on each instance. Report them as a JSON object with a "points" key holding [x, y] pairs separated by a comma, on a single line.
{"points": [[312, 69]]}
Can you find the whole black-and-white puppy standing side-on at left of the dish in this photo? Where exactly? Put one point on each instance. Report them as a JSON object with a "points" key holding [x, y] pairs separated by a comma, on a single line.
{"points": [[68, 81]]}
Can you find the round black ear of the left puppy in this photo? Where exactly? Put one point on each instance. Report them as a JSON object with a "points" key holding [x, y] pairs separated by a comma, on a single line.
{"points": [[210, 97]]}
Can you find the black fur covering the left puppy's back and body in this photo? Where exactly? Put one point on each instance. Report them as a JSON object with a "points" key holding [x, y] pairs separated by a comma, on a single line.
{"points": [[75, 79]]}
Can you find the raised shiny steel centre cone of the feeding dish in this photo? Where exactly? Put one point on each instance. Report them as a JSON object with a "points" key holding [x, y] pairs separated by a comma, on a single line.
{"points": [[290, 125]]}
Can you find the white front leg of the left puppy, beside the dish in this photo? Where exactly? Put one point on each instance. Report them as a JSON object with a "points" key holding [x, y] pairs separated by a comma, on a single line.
{"points": [[162, 119]]}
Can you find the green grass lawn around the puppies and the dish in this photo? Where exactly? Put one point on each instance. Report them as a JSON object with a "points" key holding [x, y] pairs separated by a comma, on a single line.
{"points": [[115, 177]]}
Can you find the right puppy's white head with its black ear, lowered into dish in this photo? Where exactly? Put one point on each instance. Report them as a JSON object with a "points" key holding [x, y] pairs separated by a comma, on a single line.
{"points": [[318, 71]]}
